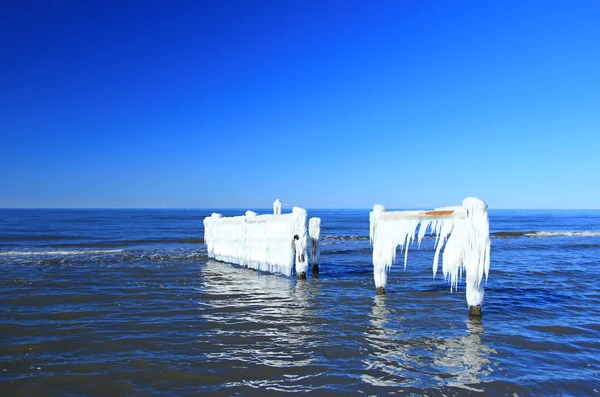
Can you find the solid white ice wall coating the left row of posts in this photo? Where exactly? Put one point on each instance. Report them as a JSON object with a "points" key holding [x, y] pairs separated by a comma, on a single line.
{"points": [[264, 242]]}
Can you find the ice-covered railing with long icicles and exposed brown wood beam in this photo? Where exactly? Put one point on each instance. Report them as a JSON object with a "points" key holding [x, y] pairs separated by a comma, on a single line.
{"points": [[464, 230]]}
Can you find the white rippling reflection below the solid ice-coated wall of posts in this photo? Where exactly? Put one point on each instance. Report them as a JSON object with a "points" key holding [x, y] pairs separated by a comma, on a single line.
{"points": [[259, 319]]}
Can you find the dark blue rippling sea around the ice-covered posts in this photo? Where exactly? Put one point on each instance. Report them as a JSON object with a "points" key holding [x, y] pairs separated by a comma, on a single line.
{"points": [[127, 303]]}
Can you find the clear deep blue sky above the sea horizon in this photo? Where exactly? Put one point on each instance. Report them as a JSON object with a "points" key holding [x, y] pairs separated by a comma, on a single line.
{"points": [[330, 104]]}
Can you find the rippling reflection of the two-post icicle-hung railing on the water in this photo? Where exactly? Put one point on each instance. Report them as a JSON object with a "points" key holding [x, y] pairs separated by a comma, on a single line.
{"points": [[403, 357]]}
